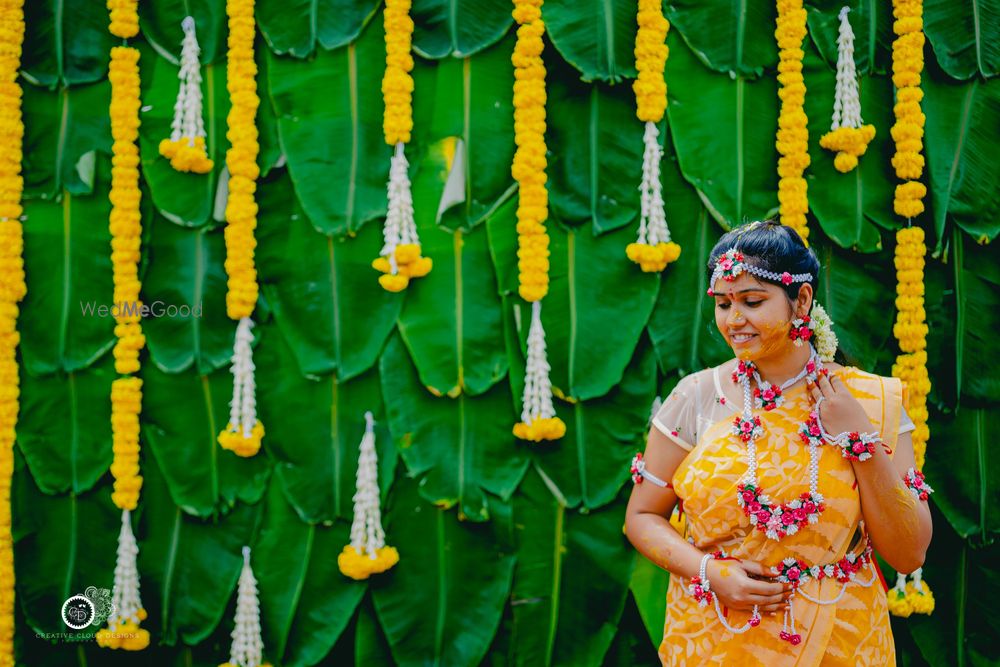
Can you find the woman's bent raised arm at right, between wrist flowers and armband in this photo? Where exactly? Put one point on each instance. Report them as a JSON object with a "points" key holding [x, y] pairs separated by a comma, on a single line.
{"points": [[899, 523]]}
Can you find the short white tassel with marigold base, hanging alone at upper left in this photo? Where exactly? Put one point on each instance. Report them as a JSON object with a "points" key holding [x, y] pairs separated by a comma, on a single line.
{"points": [[186, 146]]}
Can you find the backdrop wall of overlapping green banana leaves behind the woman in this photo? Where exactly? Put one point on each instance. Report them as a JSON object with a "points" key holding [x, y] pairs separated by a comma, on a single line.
{"points": [[511, 553]]}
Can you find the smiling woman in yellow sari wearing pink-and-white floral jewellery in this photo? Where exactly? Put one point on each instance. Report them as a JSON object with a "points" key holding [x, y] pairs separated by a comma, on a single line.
{"points": [[789, 469]]}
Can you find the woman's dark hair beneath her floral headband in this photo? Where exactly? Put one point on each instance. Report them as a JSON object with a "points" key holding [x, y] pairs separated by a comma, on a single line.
{"points": [[771, 246]]}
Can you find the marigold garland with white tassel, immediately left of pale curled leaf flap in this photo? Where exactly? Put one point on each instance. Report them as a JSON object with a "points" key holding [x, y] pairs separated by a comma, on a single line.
{"points": [[399, 259]]}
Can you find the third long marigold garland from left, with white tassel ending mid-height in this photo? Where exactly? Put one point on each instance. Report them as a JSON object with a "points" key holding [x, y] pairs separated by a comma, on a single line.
{"points": [[244, 432]]}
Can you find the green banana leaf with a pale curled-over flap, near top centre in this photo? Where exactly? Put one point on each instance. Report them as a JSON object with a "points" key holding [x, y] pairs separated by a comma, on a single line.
{"points": [[464, 107]]}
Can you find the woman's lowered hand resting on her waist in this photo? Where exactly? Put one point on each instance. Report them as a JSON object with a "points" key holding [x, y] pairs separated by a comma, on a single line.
{"points": [[734, 583]]}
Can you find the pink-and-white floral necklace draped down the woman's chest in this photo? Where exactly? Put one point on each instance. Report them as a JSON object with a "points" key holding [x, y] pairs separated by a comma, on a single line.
{"points": [[773, 519]]}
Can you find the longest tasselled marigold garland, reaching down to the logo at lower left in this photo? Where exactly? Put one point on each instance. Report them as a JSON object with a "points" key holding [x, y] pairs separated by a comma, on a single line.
{"points": [[125, 222]]}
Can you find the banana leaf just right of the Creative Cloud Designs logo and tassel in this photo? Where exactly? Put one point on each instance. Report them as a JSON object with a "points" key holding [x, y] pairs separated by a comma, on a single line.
{"points": [[189, 566]]}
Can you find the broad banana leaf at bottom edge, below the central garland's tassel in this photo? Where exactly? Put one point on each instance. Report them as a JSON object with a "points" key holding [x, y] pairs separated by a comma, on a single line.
{"points": [[571, 578]]}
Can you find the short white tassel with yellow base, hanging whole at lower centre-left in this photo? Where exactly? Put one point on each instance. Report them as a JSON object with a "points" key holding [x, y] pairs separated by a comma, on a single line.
{"points": [[367, 554]]}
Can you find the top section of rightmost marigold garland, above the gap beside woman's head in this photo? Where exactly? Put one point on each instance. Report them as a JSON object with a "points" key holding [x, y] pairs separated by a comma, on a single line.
{"points": [[908, 131]]}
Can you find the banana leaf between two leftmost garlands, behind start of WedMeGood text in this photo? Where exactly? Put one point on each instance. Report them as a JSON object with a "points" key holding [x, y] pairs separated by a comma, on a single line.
{"points": [[67, 265]]}
